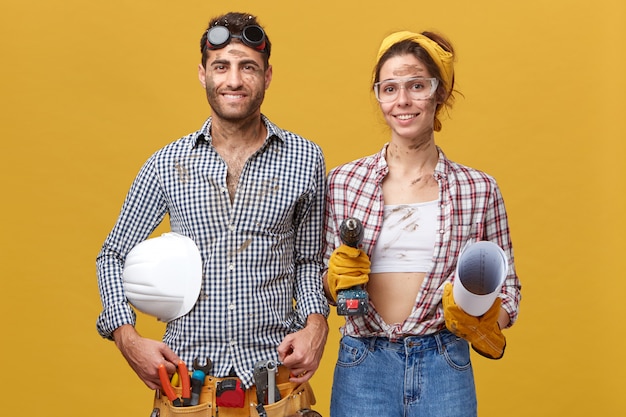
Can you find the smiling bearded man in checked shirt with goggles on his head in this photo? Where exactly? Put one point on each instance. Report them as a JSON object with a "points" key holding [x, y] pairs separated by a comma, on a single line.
{"points": [[251, 197]]}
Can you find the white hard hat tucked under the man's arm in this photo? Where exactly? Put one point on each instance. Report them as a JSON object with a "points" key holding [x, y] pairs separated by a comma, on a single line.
{"points": [[163, 275]]}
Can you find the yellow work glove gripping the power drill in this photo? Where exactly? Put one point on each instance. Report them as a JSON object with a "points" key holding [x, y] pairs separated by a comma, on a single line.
{"points": [[347, 267]]}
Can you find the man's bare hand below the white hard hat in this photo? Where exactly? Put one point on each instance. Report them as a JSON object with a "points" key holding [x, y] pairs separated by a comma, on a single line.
{"points": [[144, 355]]}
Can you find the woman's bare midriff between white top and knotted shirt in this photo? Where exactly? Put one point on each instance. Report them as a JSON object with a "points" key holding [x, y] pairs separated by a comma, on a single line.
{"points": [[394, 294]]}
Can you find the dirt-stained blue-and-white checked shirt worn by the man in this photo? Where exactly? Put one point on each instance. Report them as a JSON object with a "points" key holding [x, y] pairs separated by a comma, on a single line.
{"points": [[259, 253]]}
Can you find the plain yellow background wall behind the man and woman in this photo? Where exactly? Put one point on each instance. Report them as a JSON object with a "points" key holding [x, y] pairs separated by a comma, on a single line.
{"points": [[89, 90]]}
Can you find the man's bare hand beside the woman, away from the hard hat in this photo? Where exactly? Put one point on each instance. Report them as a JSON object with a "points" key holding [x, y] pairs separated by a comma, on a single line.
{"points": [[302, 351]]}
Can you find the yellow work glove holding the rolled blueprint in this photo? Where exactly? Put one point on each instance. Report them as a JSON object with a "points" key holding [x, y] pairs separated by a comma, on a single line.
{"points": [[482, 332]]}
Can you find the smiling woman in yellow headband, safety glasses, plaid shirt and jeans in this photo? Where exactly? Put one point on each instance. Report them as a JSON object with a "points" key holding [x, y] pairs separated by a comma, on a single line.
{"points": [[418, 210]]}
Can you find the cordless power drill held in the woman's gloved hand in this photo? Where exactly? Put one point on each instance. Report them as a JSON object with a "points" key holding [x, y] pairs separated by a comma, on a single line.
{"points": [[352, 301]]}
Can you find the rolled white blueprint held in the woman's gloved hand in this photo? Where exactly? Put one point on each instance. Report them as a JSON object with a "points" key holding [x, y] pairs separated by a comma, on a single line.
{"points": [[480, 273]]}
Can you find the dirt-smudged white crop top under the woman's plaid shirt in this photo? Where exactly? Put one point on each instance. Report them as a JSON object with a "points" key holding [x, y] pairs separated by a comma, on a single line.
{"points": [[407, 239]]}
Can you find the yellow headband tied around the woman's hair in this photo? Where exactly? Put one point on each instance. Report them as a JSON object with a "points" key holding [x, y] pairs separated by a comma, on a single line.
{"points": [[442, 58]]}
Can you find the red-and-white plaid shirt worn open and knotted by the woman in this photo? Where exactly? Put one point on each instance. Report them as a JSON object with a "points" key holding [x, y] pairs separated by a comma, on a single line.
{"points": [[471, 209]]}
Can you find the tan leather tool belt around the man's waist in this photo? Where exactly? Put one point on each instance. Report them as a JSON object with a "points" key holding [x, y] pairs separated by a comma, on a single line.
{"points": [[295, 400]]}
